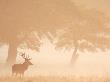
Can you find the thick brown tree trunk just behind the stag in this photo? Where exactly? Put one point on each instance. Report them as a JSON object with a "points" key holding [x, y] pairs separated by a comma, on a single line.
{"points": [[12, 53]]}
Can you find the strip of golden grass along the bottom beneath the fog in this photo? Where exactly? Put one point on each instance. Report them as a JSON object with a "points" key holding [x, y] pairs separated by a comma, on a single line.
{"points": [[56, 79]]}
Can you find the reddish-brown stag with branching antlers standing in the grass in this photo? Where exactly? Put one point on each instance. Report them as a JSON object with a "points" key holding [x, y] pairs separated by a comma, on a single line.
{"points": [[21, 68]]}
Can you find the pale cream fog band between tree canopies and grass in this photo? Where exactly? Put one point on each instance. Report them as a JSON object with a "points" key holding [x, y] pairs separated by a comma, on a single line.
{"points": [[51, 62]]}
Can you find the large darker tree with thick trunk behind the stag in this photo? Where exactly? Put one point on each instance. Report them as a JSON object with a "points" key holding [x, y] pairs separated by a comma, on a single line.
{"points": [[20, 17]]}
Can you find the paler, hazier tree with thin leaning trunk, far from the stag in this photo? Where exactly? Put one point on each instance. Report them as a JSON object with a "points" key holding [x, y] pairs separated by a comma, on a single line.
{"points": [[89, 33]]}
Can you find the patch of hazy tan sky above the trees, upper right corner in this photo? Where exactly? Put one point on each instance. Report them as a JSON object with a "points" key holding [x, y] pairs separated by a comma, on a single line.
{"points": [[102, 5]]}
